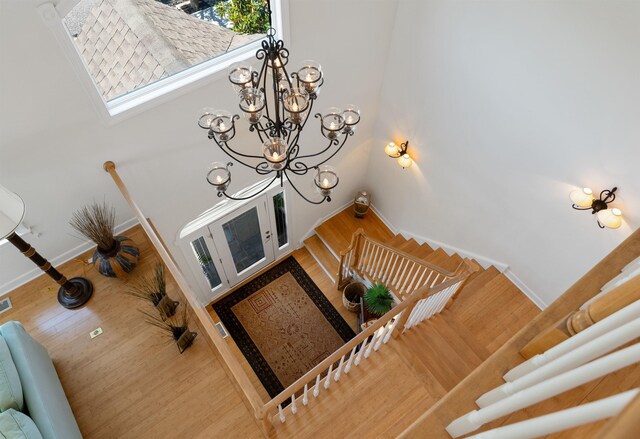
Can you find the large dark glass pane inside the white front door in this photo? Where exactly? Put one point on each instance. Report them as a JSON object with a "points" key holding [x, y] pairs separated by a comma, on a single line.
{"points": [[245, 239]]}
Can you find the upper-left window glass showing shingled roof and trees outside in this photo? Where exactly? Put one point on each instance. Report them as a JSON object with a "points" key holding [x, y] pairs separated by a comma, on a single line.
{"points": [[128, 45]]}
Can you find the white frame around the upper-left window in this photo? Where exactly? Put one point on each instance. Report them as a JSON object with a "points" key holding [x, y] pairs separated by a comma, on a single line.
{"points": [[163, 90]]}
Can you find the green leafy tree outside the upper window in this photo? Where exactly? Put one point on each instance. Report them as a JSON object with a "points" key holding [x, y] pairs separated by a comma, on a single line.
{"points": [[247, 16]]}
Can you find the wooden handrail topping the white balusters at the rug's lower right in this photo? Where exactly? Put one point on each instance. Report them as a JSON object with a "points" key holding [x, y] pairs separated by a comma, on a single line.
{"points": [[416, 296]]}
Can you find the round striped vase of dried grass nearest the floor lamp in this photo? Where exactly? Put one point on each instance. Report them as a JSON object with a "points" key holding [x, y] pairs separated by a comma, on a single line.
{"points": [[114, 255]]}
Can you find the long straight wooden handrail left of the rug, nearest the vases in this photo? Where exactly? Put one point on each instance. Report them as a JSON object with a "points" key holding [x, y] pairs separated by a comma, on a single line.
{"points": [[232, 367]]}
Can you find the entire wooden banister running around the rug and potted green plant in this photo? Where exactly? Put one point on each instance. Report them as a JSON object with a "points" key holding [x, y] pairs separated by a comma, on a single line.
{"points": [[424, 288]]}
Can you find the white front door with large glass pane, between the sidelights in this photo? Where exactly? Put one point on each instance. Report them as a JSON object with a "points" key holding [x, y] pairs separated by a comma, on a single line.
{"points": [[244, 240]]}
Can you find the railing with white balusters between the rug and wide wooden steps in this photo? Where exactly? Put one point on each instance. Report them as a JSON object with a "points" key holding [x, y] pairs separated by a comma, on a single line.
{"points": [[359, 348]]}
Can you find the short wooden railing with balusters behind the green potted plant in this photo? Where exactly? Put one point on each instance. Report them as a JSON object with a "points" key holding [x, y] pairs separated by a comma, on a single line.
{"points": [[402, 272]]}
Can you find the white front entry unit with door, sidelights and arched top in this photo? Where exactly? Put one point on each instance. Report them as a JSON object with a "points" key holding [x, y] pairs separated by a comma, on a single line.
{"points": [[229, 244]]}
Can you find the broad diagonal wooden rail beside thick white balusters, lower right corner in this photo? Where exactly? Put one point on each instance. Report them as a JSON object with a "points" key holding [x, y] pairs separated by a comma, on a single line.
{"points": [[461, 399]]}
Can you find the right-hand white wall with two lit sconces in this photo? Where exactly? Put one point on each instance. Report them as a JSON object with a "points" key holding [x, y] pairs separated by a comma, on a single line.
{"points": [[509, 106]]}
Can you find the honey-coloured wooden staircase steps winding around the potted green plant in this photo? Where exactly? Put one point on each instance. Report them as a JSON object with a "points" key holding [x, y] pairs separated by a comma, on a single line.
{"points": [[423, 364]]}
